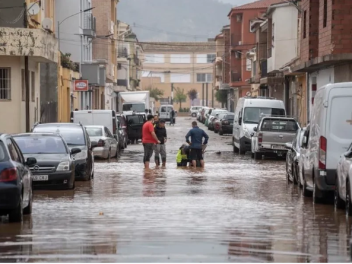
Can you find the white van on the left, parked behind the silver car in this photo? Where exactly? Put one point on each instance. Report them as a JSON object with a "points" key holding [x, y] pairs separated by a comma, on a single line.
{"points": [[105, 118]]}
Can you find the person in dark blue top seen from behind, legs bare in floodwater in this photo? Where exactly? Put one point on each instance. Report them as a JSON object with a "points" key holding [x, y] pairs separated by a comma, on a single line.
{"points": [[196, 134]]}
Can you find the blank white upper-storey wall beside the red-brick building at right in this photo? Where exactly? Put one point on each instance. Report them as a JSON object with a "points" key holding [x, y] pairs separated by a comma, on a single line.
{"points": [[285, 36]]}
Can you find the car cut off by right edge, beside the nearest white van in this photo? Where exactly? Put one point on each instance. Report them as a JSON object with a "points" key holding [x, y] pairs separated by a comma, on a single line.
{"points": [[343, 190]]}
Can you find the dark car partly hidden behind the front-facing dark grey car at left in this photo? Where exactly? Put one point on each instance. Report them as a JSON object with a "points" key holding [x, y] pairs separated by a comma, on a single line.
{"points": [[75, 136]]}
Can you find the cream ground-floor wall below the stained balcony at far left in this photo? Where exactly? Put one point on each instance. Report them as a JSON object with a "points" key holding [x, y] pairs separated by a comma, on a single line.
{"points": [[12, 112]]}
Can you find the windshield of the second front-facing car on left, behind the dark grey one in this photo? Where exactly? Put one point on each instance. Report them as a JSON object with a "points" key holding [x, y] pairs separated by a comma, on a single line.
{"points": [[72, 135]]}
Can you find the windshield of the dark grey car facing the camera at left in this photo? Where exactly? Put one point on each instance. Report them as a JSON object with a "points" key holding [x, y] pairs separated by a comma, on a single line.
{"points": [[41, 145]]}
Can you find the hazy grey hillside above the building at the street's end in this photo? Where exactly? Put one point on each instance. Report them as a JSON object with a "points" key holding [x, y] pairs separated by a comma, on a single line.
{"points": [[170, 20]]}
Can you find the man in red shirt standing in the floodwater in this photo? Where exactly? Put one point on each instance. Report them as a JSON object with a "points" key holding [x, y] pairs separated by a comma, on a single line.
{"points": [[149, 139]]}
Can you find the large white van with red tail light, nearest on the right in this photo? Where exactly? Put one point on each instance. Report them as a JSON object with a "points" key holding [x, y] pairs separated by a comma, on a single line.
{"points": [[329, 136]]}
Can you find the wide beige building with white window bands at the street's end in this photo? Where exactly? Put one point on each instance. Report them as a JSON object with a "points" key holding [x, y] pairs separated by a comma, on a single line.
{"points": [[169, 66]]}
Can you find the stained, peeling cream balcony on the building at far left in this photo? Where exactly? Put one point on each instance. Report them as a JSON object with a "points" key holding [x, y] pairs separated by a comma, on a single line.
{"points": [[38, 44]]}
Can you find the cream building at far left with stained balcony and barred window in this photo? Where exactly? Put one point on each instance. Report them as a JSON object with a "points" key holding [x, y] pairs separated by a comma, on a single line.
{"points": [[26, 40]]}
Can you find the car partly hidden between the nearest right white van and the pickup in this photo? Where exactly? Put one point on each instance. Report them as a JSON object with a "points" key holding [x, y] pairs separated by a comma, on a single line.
{"points": [[292, 157]]}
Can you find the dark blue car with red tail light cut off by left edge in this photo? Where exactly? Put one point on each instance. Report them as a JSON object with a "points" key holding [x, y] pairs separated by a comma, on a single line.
{"points": [[15, 180]]}
